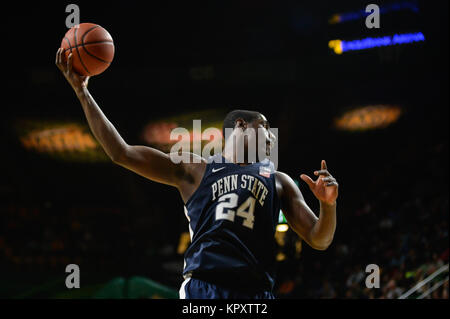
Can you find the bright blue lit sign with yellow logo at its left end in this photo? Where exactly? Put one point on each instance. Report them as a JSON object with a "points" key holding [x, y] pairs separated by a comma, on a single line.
{"points": [[341, 46]]}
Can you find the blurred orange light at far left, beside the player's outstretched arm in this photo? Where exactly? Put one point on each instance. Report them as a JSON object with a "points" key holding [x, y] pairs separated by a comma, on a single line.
{"points": [[69, 141]]}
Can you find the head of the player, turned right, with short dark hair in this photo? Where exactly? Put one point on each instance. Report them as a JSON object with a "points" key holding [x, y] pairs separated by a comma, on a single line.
{"points": [[248, 127]]}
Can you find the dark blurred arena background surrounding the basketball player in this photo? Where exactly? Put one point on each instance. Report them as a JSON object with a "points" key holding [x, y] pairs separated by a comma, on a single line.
{"points": [[372, 102]]}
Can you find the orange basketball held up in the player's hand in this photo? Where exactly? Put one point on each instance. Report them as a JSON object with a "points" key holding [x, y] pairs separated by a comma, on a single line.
{"points": [[92, 48]]}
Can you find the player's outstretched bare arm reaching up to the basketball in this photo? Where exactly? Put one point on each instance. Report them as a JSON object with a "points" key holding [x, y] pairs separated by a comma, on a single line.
{"points": [[145, 161]]}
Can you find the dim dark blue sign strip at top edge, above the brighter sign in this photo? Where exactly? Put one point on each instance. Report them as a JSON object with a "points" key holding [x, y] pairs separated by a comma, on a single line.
{"points": [[361, 14]]}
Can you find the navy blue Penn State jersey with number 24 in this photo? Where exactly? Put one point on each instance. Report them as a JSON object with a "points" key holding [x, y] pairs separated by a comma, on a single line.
{"points": [[232, 219]]}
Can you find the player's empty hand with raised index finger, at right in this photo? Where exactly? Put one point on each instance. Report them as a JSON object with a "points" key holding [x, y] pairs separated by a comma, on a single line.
{"points": [[325, 188]]}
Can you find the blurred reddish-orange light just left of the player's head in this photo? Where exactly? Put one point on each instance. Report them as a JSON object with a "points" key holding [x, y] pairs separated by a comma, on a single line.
{"points": [[157, 133]]}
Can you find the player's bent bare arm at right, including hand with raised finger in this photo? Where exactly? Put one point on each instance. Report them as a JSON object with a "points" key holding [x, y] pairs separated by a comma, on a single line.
{"points": [[317, 232]]}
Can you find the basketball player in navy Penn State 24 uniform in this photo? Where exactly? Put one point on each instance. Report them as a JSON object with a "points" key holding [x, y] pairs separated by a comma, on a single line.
{"points": [[232, 208]]}
